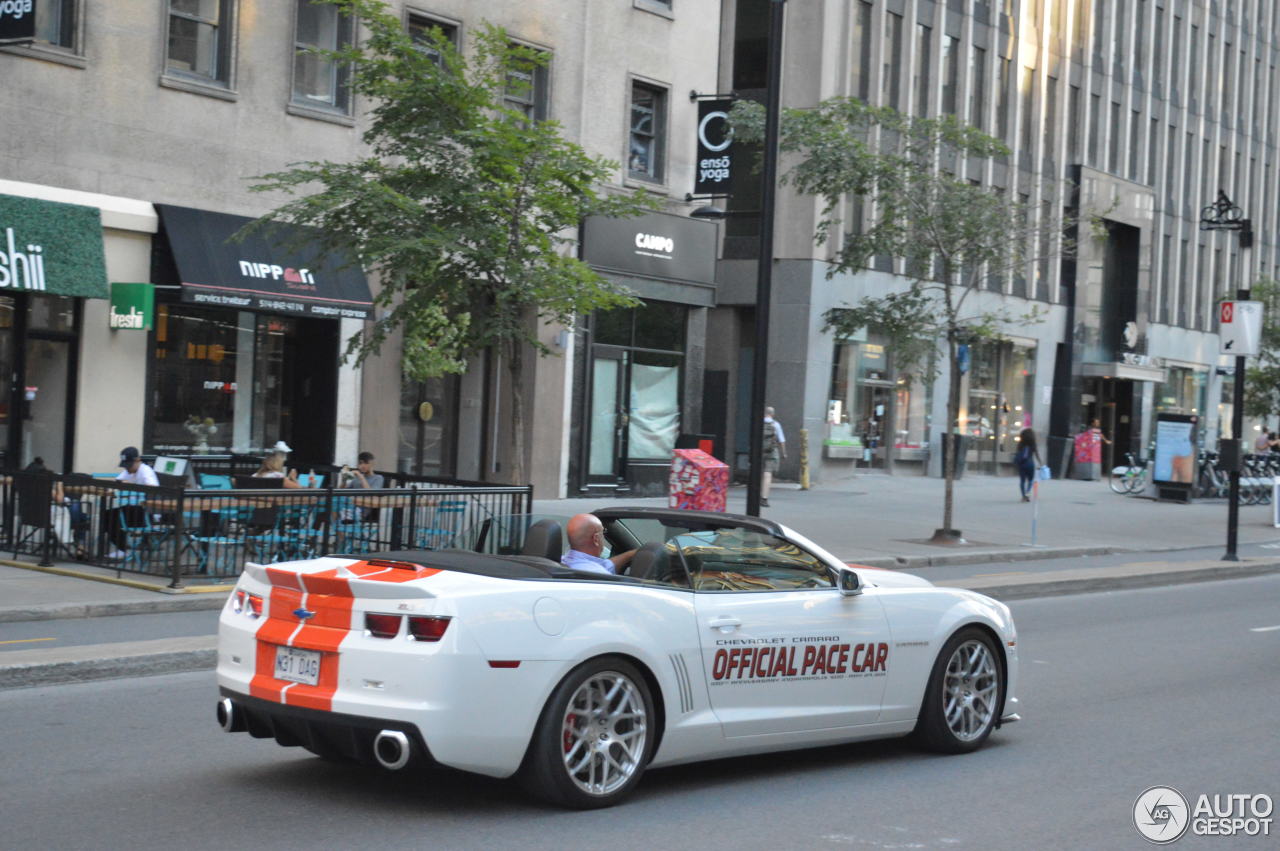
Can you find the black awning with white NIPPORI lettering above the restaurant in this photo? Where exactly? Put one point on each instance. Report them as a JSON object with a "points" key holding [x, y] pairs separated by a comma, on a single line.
{"points": [[280, 271]]}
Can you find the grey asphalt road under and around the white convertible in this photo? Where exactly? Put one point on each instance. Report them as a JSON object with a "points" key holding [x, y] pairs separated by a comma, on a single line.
{"points": [[1121, 692]]}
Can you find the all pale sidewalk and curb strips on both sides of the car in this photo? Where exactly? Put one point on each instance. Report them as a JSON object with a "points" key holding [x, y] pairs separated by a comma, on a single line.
{"points": [[877, 520]]}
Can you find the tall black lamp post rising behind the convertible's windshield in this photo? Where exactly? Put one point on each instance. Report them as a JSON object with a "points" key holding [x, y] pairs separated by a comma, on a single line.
{"points": [[765, 276]]}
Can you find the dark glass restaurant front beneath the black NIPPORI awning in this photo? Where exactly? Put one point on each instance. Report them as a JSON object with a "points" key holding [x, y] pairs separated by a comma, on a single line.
{"points": [[236, 382]]}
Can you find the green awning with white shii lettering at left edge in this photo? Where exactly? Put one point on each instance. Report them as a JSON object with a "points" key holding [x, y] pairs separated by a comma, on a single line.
{"points": [[49, 248]]}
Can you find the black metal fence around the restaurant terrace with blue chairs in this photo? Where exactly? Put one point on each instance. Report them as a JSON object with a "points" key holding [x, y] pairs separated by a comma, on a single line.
{"points": [[209, 534]]}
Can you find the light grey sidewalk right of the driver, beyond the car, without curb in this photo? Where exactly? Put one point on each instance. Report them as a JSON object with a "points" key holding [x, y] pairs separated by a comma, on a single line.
{"points": [[886, 520]]}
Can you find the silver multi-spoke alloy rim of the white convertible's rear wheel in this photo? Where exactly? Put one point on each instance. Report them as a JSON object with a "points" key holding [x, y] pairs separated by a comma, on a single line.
{"points": [[605, 733]]}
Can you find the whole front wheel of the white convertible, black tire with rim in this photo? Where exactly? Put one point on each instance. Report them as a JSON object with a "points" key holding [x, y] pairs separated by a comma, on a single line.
{"points": [[956, 731]]}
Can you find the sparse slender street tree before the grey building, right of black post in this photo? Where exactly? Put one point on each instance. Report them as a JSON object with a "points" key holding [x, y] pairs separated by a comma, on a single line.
{"points": [[909, 176]]}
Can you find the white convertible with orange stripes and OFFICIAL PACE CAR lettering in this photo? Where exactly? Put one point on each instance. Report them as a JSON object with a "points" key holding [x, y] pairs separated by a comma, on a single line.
{"points": [[726, 635]]}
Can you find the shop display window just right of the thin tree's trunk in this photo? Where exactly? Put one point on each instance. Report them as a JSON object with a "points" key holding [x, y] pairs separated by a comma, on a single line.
{"points": [[996, 399]]}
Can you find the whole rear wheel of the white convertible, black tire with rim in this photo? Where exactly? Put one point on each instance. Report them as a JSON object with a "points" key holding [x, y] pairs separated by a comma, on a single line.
{"points": [[563, 734]]}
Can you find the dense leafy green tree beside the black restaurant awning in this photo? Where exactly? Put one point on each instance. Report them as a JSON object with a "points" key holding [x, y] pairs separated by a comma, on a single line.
{"points": [[464, 208]]}
